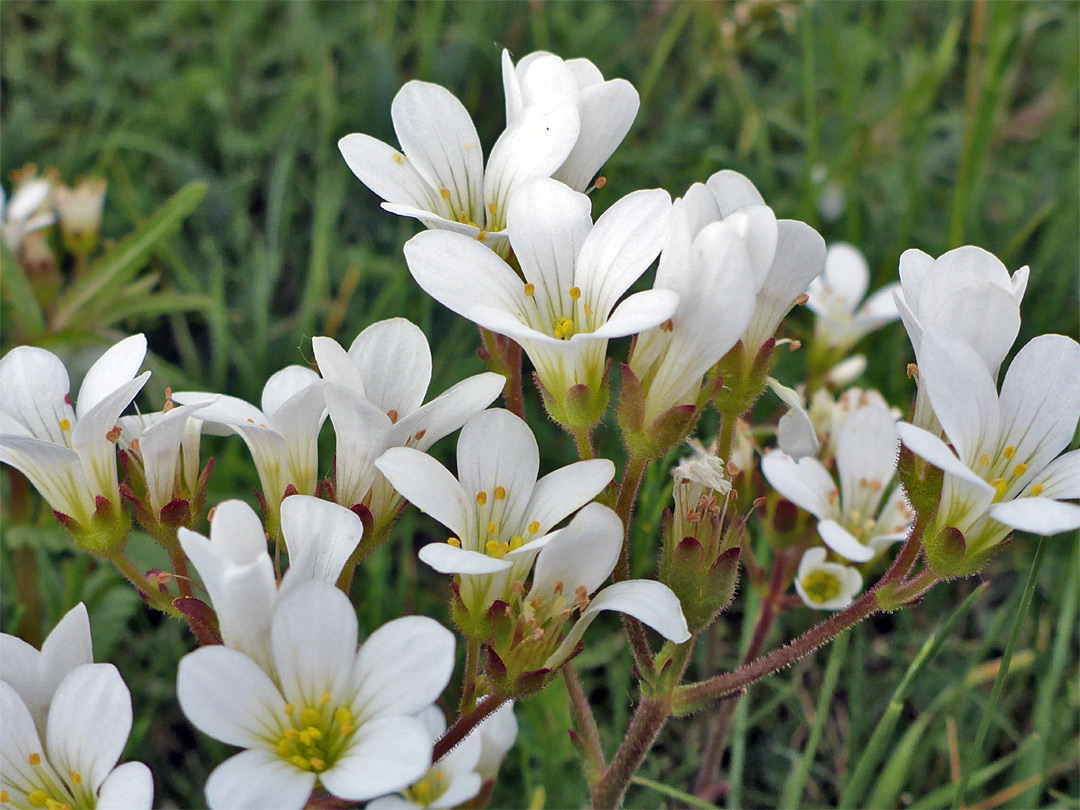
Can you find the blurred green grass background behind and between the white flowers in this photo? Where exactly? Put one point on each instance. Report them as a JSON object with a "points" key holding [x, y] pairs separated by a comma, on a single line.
{"points": [[941, 125]]}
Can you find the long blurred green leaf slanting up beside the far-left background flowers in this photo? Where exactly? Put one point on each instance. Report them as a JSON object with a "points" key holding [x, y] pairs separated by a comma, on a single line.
{"points": [[118, 265]]}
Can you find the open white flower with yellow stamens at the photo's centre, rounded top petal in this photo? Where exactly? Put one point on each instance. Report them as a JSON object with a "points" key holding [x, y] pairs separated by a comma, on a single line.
{"points": [[496, 508]]}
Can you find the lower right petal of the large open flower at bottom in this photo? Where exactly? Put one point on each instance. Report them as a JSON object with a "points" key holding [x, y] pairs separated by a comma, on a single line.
{"points": [[386, 754]]}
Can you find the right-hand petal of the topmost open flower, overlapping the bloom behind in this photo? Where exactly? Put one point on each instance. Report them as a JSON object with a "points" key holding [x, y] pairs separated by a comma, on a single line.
{"points": [[535, 145]]}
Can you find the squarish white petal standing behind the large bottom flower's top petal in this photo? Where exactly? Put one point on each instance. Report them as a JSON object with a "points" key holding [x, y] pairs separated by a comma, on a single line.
{"points": [[320, 537]]}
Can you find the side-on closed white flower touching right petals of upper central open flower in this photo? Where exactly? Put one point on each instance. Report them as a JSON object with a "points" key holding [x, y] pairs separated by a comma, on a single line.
{"points": [[711, 269]]}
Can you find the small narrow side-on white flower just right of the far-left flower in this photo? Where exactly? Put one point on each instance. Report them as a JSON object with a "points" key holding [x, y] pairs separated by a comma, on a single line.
{"points": [[167, 447]]}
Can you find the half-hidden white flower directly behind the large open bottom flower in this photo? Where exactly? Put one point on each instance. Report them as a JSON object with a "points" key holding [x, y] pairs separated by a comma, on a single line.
{"points": [[239, 574]]}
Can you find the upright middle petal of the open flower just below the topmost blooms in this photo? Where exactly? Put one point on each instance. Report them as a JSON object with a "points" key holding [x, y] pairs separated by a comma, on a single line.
{"points": [[548, 224]]}
